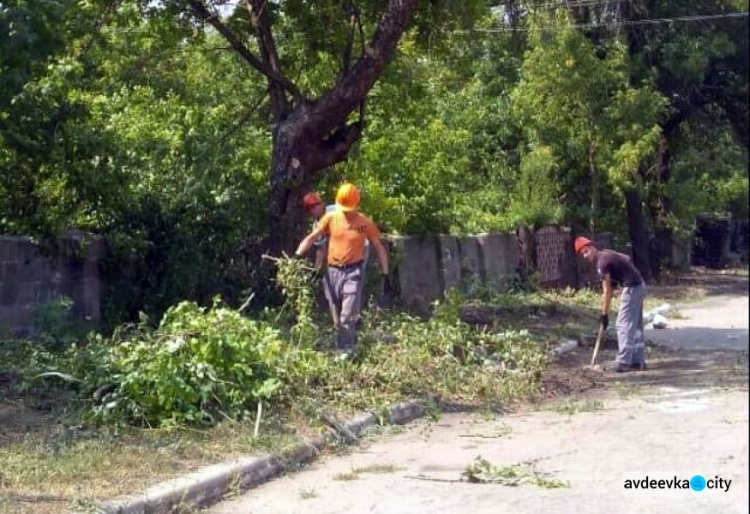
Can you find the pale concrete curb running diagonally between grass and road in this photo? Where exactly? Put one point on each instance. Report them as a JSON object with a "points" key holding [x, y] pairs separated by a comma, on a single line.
{"points": [[210, 484]]}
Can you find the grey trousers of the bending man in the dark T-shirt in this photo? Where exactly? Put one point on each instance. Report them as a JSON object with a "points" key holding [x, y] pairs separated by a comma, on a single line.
{"points": [[631, 340]]}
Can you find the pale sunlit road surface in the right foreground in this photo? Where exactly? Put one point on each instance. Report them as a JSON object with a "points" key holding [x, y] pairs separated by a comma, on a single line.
{"points": [[588, 432]]}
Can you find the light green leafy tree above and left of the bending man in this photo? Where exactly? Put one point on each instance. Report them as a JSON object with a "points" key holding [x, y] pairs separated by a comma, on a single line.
{"points": [[586, 124]]}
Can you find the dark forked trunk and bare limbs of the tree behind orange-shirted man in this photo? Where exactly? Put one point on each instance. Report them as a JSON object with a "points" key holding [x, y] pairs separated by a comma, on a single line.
{"points": [[309, 134]]}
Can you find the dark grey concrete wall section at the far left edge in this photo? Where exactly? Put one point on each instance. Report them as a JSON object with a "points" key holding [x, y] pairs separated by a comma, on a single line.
{"points": [[32, 275]]}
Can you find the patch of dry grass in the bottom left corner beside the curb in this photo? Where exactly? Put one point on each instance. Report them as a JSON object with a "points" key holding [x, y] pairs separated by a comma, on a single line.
{"points": [[106, 464]]}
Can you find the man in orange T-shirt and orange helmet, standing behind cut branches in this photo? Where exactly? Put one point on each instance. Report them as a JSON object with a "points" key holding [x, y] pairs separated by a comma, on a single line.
{"points": [[347, 230]]}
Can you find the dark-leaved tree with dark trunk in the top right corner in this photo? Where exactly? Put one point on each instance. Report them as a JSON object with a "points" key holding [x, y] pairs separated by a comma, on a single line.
{"points": [[700, 63]]}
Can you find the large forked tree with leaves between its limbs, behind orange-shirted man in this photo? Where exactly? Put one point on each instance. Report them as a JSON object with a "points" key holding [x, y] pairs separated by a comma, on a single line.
{"points": [[312, 131]]}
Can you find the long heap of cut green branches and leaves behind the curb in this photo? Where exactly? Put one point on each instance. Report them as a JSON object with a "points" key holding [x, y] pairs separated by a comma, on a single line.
{"points": [[202, 365]]}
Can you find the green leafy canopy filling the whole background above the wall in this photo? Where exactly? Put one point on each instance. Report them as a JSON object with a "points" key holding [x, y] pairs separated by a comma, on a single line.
{"points": [[129, 120]]}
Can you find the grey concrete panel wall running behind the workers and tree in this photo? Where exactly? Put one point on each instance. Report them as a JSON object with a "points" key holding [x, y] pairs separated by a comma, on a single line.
{"points": [[422, 268]]}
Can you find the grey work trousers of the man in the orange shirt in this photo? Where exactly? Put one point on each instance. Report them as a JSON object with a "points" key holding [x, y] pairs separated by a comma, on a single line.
{"points": [[343, 289]]}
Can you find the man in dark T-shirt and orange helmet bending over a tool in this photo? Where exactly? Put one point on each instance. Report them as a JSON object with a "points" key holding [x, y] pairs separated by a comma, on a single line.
{"points": [[616, 268]]}
